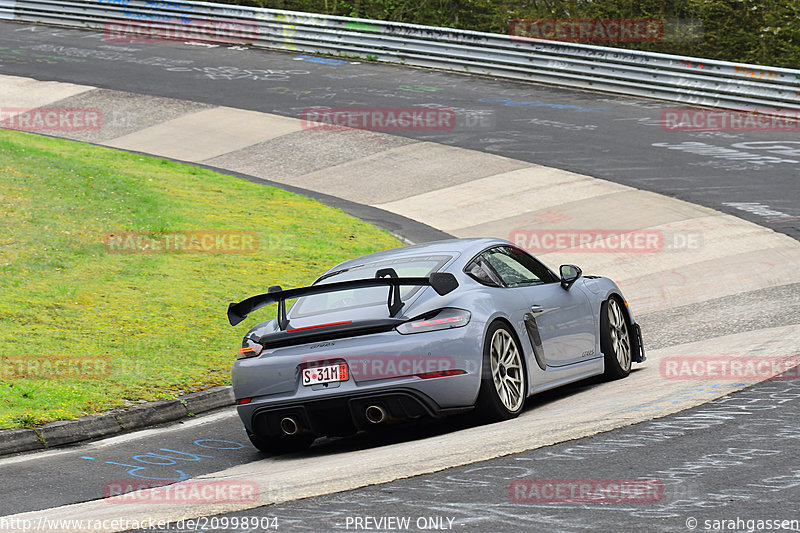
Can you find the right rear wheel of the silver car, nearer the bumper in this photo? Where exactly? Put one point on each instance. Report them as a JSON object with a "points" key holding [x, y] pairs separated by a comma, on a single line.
{"points": [[503, 384]]}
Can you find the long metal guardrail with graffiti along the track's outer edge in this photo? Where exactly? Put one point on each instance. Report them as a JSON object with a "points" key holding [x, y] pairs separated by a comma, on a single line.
{"points": [[679, 79]]}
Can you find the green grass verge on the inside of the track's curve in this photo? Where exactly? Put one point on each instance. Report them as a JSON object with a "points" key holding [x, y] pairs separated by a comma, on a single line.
{"points": [[157, 319]]}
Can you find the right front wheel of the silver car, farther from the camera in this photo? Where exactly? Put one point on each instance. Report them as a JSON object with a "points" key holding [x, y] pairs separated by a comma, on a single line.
{"points": [[615, 339]]}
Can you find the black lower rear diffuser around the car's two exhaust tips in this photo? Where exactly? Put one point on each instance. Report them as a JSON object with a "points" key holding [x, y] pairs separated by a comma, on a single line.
{"points": [[342, 415]]}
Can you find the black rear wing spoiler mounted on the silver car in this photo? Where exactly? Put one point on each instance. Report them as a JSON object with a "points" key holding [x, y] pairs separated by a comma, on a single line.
{"points": [[442, 282]]}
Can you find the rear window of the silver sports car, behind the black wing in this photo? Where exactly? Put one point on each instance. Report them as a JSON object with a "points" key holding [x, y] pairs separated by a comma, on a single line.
{"points": [[336, 301]]}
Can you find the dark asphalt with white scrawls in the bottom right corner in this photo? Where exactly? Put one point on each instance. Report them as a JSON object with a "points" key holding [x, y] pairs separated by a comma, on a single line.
{"points": [[723, 466]]}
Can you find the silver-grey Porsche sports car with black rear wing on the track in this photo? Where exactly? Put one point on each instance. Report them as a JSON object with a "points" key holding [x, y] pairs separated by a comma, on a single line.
{"points": [[424, 331]]}
